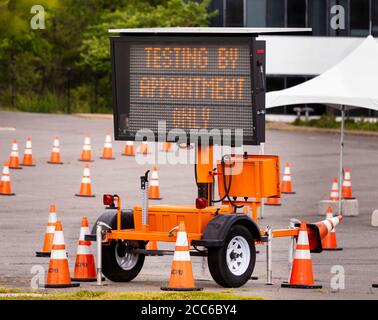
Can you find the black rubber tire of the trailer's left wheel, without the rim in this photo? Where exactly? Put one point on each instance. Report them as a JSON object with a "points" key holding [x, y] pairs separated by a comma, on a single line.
{"points": [[112, 270]]}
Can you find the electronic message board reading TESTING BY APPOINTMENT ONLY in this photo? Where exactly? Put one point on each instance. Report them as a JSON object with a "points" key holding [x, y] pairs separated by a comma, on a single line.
{"points": [[189, 83]]}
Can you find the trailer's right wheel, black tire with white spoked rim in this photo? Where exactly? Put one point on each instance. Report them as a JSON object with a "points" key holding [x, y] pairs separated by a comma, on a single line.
{"points": [[232, 264]]}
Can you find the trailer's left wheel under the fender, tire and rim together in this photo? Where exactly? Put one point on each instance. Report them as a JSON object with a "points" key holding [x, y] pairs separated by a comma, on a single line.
{"points": [[117, 264]]}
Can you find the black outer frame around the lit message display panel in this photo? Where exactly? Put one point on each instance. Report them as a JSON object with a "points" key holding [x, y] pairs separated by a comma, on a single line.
{"points": [[121, 76]]}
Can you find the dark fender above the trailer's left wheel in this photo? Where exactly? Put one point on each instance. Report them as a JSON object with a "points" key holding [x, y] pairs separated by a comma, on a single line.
{"points": [[110, 218]]}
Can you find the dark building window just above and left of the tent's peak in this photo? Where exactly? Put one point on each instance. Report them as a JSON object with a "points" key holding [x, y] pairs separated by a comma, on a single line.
{"points": [[359, 17]]}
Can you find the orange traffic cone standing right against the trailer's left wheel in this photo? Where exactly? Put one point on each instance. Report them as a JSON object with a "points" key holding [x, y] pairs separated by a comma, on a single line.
{"points": [[85, 269]]}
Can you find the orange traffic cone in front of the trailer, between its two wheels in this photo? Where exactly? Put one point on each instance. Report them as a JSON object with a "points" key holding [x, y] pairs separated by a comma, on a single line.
{"points": [[181, 278]]}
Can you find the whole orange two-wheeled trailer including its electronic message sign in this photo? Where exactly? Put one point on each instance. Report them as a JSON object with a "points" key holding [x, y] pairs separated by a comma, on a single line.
{"points": [[191, 79]]}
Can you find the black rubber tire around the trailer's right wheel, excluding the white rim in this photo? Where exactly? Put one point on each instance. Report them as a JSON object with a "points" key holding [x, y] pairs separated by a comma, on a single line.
{"points": [[218, 264]]}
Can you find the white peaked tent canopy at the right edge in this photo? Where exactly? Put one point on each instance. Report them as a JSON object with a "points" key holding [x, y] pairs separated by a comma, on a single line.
{"points": [[351, 82]]}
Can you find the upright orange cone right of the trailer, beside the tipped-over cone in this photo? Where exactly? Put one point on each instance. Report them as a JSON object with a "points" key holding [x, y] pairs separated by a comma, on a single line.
{"points": [[301, 276]]}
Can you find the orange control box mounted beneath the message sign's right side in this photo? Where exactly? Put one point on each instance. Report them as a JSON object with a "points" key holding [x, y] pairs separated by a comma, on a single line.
{"points": [[250, 176]]}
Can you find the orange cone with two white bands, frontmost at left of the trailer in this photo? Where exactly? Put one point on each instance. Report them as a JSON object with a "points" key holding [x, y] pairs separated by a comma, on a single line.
{"points": [[58, 275]]}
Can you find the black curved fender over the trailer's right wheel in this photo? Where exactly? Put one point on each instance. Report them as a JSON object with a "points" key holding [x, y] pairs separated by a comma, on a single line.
{"points": [[218, 228]]}
